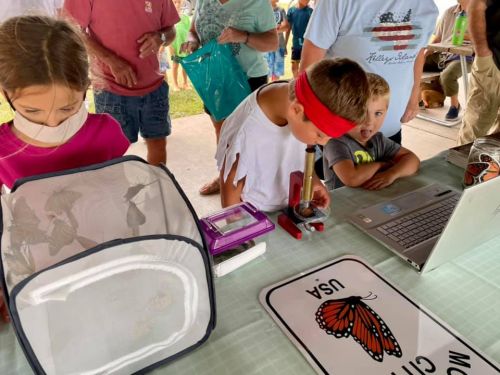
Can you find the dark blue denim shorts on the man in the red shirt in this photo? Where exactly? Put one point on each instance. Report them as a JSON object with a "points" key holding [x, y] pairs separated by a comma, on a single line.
{"points": [[146, 114]]}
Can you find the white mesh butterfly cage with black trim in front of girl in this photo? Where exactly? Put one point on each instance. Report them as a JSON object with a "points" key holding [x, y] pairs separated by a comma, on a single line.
{"points": [[104, 269]]}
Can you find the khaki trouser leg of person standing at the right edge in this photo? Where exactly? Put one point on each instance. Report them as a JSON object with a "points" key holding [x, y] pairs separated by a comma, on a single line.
{"points": [[481, 115]]}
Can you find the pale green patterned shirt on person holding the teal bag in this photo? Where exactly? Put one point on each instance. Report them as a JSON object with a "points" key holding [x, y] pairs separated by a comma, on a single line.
{"points": [[255, 16]]}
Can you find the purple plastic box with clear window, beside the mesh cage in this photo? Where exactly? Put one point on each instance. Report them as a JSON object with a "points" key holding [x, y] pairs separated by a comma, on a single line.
{"points": [[234, 225]]}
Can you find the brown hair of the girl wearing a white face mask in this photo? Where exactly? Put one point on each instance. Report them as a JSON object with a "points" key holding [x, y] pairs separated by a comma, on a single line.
{"points": [[38, 50]]}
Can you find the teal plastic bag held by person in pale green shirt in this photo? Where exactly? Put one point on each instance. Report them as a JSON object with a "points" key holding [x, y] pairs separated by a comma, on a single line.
{"points": [[217, 77]]}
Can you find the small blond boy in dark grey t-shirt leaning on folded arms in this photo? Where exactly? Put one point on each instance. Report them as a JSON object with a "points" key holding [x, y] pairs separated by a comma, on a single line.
{"points": [[364, 156]]}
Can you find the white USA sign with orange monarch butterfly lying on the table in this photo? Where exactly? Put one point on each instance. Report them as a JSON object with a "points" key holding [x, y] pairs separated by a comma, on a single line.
{"points": [[345, 318]]}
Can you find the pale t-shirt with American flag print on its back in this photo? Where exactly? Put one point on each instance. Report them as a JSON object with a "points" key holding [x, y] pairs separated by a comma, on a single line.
{"points": [[383, 36]]}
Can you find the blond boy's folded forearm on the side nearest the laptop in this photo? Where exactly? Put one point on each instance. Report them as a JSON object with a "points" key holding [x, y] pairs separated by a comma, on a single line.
{"points": [[405, 163]]}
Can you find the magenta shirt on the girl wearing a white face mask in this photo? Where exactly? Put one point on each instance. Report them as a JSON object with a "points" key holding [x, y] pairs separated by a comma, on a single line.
{"points": [[100, 139]]}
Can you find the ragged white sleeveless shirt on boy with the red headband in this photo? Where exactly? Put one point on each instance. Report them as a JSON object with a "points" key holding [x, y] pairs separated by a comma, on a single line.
{"points": [[267, 155]]}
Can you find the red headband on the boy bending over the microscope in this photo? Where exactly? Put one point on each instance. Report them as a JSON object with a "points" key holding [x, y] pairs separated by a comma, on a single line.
{"points": [[328, 122]]}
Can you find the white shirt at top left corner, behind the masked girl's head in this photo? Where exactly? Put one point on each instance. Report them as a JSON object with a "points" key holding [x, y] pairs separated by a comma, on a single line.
{"points": [[14, 8]]}
